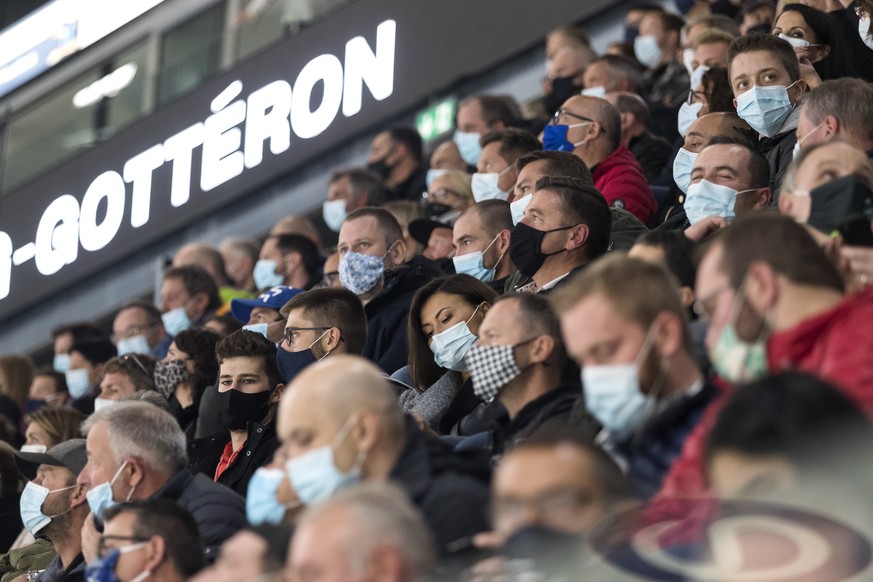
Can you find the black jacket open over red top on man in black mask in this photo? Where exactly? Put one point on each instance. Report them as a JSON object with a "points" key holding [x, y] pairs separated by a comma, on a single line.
{"points": [[204, 455]]}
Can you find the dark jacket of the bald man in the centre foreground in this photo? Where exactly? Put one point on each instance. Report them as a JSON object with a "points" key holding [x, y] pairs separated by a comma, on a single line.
{"points": [[453, 502]]}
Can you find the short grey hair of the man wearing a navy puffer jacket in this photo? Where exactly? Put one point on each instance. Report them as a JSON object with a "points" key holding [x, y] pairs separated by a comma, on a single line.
{"points": [[140, 429]]}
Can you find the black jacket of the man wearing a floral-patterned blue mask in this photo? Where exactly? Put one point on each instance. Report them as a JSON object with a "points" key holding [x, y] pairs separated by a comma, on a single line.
{"points": [[387, 313]]}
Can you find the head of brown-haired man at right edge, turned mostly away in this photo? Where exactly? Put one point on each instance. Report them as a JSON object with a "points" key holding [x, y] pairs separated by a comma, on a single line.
{"points": [[837, 110]]}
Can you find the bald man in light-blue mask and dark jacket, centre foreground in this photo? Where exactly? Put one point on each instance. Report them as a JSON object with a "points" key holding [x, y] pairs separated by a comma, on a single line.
{"points": [[339, 423]]}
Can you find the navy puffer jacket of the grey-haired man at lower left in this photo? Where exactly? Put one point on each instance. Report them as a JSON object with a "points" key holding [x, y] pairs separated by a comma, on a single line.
{"points": [[218, 511]]}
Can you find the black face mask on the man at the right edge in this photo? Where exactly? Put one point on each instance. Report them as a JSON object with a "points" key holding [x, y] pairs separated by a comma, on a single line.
{"points": [[844, 205]]}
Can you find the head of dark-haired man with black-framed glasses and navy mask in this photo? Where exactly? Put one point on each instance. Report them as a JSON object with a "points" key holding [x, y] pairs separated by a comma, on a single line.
{"points": [[318, 324]]}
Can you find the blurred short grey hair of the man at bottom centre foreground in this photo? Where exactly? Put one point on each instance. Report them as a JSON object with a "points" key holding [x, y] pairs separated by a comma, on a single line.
{"points": [[380, 514]]}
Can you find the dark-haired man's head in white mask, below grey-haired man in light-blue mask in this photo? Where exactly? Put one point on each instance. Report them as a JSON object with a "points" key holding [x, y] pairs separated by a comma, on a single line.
{"points": [[496, 173]]}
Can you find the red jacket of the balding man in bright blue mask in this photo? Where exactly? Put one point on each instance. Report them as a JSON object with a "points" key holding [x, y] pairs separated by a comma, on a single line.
{"points": [[621, 180]]}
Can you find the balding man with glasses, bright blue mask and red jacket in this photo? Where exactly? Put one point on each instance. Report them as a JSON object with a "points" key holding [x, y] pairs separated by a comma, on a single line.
{"points": [[590, 127]]}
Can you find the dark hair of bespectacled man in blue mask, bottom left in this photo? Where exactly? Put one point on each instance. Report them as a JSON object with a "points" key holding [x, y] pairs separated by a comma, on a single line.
{"points": [[170, 521]]}
